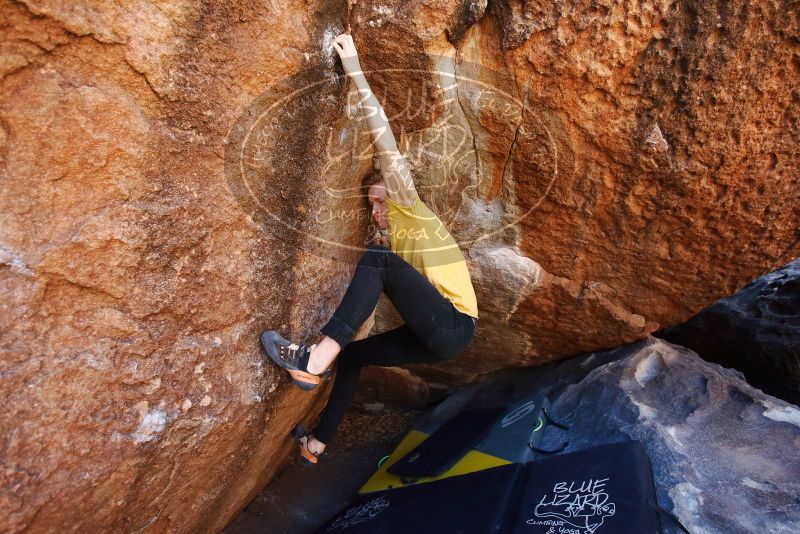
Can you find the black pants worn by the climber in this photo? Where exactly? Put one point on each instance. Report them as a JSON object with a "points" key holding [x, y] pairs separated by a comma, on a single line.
{"points": [[434, 329]]}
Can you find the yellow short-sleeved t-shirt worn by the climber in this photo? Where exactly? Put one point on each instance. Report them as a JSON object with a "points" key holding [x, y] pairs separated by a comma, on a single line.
{"points": [[420, 238]]}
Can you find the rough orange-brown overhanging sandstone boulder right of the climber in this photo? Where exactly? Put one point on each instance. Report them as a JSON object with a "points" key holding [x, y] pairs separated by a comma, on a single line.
{"points": [[610, 169]]}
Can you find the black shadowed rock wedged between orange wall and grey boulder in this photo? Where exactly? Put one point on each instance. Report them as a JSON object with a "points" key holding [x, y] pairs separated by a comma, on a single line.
{"points": [[757, 331]]}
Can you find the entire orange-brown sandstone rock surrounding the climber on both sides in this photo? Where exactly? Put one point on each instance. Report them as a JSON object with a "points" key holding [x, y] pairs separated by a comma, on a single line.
{"points": [[177, 177]]}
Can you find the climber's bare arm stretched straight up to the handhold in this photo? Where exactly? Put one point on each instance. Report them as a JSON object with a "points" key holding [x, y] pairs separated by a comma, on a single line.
{"points": [[396, 175]]}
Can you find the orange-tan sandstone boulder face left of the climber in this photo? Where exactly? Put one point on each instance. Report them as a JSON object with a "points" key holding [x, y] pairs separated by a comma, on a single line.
{"points": [[134, 283]]}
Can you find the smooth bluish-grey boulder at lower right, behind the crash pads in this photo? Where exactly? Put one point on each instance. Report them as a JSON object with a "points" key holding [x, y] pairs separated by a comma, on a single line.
{"points": [[724, 454]]}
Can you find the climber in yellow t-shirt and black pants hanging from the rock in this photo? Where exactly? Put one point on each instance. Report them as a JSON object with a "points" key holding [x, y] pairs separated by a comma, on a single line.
{"points": [[424, 275]]}
